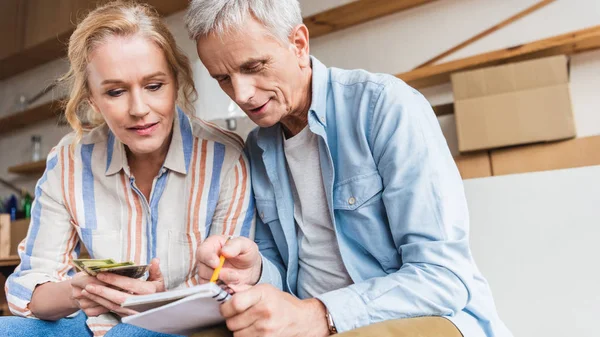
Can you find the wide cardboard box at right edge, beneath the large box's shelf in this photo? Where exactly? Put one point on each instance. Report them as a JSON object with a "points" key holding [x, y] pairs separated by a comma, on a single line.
{"points": [[576, 152]]}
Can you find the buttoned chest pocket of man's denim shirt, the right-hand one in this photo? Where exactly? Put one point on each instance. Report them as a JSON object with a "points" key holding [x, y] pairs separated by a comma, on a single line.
{"points": [[355, 192]]}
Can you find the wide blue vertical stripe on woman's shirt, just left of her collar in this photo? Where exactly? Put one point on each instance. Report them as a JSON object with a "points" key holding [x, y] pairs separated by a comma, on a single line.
{"points": [[87, 187]]}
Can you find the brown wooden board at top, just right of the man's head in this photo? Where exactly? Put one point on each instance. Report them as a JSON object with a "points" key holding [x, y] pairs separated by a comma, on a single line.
{"points": [[355, 13]]}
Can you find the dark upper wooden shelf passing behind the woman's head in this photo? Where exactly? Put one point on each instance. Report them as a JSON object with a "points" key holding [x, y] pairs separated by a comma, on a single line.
{"points": [[56, 47]]}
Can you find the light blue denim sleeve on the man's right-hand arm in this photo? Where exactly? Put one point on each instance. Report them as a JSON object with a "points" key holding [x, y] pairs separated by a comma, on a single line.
{"points": [[427, 214]]}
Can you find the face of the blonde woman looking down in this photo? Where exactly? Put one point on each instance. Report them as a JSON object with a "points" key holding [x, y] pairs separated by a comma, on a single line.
{"points": [[132, 87]]}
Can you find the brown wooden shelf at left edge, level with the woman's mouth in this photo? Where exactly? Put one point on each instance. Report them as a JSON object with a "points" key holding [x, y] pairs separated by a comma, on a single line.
{"points": [[30, 116]]}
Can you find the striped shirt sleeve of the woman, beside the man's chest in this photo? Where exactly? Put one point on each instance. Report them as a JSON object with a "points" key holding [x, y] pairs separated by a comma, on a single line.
{"points": [[235, 214]]}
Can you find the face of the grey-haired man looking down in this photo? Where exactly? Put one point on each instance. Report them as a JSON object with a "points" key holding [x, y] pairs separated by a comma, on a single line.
{"points": [[264, 77]]}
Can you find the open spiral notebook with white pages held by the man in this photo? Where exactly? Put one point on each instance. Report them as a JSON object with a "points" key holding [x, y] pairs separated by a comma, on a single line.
{"points": [[182, 311]]}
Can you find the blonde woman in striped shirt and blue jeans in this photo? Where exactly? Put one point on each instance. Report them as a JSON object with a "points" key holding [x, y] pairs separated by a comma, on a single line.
{"points": [[148, 183]]}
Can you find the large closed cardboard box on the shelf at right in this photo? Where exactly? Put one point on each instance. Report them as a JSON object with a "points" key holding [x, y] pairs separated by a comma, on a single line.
{"points": [[518, 103]]}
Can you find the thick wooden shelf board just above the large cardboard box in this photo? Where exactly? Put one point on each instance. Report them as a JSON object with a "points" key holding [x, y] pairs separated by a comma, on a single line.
{"points": [[570, 43]]}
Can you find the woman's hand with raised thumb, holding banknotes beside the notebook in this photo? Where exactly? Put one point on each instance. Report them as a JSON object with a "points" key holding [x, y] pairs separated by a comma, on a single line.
{"points": [[114, 289]]}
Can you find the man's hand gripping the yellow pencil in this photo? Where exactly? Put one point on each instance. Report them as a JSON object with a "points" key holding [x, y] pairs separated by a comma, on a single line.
{"points": [[242, 260]]}
